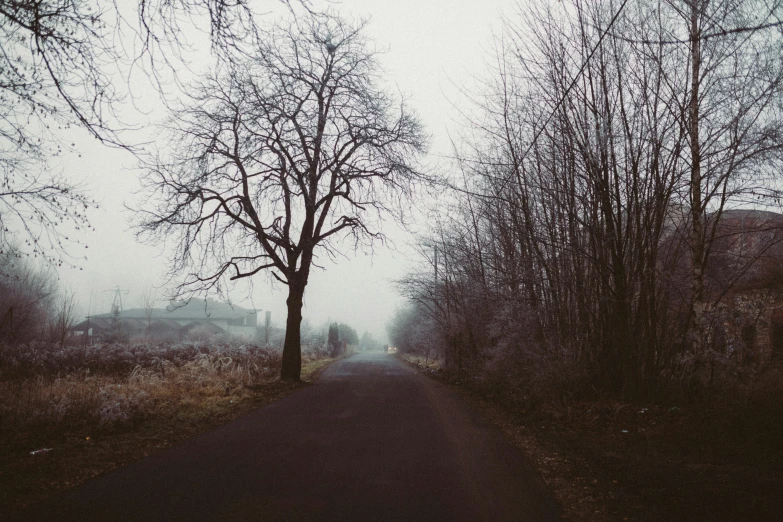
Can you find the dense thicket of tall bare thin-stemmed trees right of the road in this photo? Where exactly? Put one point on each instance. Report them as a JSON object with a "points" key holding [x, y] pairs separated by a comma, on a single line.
{"points": [[586, 201]]}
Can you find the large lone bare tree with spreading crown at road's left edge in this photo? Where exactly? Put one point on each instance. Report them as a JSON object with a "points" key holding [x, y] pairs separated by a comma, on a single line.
{"points": [[279, 157]]}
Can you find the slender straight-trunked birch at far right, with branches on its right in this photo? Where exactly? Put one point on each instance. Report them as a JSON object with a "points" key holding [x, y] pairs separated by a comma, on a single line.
{"points": [[733, 119]]}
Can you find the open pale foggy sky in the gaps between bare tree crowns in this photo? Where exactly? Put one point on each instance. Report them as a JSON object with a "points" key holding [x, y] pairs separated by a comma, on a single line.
{"points": [[431, 54]]}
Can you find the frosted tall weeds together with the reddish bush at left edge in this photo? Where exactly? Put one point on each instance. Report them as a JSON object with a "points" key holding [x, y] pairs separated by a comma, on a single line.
{"points": [[52, 382]]}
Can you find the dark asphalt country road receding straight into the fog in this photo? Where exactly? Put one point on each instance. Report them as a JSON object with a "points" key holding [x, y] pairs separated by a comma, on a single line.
{"points": [[370, 440]]}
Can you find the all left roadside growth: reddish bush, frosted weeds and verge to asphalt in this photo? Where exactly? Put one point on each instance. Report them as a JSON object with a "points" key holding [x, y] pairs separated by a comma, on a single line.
{"points": [[70, 410]]}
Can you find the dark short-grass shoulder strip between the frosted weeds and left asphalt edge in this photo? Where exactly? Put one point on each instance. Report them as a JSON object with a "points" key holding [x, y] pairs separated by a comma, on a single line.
{"points": [[77, 456]]}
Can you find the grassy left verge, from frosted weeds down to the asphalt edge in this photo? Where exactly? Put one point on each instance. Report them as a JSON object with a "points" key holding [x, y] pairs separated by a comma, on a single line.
{"points": [[88, 410]]}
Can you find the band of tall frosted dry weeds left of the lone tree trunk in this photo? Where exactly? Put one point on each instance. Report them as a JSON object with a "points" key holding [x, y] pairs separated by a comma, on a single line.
{"points": [[45, 386]]}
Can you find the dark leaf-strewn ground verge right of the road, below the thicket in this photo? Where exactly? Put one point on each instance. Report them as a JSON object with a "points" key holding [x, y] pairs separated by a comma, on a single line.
{"points": [[604, 460]]}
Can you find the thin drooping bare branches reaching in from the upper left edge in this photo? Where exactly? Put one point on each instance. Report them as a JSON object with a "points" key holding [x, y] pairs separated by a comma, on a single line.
{"points": [[51, 77]]}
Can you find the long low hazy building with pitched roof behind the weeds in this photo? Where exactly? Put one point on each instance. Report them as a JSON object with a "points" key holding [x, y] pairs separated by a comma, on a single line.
{"points": [[177, 321]]}
